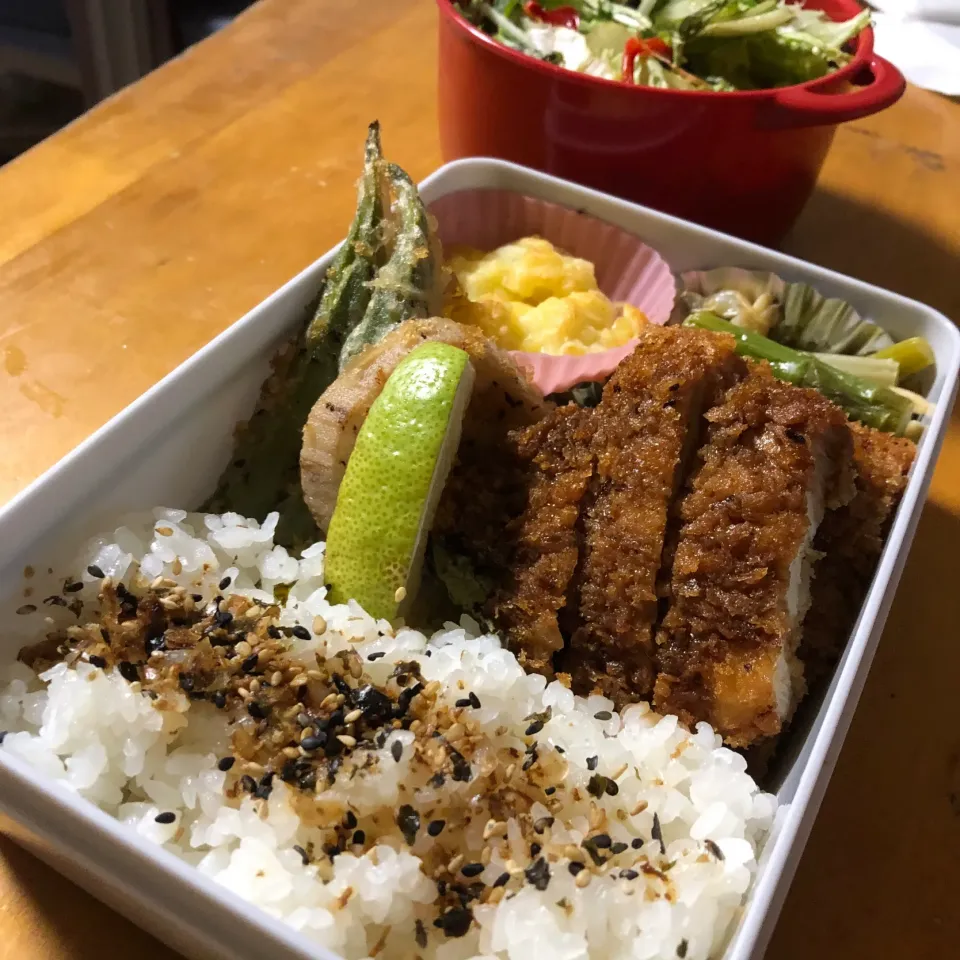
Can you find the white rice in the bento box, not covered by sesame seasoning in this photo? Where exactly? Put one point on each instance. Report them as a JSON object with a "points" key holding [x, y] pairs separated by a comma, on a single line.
{"points": [[100, 736]]}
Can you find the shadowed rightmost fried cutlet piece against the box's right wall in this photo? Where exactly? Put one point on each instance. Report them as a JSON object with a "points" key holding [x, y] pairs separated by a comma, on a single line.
{"points": [[851, 540]]}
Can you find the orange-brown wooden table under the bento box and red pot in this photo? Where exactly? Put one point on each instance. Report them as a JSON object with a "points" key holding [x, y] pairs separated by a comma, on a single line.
{"points": [[149, 225]]}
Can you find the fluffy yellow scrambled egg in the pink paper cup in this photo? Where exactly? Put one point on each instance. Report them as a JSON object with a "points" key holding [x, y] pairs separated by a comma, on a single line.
{"points": [[530, 296]]}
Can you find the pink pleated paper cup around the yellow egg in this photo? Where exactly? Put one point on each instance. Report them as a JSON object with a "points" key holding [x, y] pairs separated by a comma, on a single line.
{"points": [[627, 270]]}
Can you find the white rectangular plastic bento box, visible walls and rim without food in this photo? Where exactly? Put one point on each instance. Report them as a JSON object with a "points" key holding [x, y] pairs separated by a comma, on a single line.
{"points": [[169, 446]]}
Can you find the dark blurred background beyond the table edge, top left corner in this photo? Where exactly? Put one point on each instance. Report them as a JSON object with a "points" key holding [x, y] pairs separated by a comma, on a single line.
{"points": [[59, 57]]}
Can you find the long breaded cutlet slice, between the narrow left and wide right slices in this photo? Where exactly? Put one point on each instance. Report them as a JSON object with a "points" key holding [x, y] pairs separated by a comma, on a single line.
{"points": [[645, 429]]}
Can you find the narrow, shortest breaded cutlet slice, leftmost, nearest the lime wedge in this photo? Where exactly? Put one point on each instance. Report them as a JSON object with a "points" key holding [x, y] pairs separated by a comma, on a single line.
{"points": [[557, 462]]}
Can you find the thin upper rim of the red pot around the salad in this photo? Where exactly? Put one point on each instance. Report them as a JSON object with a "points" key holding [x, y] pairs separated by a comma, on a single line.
{"points": [[861, 60]]}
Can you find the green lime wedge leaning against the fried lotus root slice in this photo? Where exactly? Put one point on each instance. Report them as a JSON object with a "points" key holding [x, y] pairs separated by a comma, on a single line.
{"points": [[389, 494]]}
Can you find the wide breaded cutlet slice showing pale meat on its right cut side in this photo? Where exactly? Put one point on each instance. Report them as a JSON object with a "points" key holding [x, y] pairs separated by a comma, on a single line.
{"points": [[776, 457]]}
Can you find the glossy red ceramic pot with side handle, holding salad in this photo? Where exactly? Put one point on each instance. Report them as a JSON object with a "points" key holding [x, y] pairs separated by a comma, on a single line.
{"points": [[743, 162]]}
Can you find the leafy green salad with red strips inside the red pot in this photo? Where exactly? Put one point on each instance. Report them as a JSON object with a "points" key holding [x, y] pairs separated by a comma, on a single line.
{"points": [[682, 44]]}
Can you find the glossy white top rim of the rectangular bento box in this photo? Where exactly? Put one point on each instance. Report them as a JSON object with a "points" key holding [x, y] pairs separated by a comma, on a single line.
{"points": [[23, 512]]}
